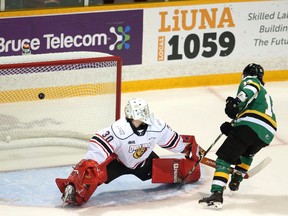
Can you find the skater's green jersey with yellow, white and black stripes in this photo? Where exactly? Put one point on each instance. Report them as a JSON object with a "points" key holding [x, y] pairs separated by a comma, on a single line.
{"points": [[259, 113]]}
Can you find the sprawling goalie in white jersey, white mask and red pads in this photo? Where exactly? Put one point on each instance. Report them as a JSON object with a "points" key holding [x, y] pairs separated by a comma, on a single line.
{"points": [[126, 147]]}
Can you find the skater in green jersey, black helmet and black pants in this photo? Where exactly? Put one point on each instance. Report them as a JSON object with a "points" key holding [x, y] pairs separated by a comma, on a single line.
{"points": [[253, 129]]}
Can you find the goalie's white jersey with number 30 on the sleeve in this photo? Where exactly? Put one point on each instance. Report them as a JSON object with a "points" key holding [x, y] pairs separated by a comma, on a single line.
{"points": [[132, 150]]}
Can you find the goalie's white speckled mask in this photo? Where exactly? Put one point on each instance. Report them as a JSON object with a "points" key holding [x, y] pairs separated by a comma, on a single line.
{"points": [[137, 109]]}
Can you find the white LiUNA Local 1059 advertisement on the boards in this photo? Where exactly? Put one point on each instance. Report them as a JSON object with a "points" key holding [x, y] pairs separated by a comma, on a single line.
{"points": [[210, 33]]}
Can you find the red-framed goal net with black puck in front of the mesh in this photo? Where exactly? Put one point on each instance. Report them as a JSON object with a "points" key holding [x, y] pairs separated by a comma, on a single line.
{"points": [[62, 96]]}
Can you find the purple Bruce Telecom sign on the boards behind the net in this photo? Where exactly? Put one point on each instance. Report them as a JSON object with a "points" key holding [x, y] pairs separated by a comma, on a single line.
{"points": [[118, 33]]}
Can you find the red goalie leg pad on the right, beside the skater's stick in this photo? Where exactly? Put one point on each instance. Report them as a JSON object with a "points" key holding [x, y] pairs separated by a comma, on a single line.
{"points": [[172, 170]]}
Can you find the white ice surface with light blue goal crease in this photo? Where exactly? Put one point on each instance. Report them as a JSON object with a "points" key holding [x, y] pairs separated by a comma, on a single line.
{"points": [[196, 111]]}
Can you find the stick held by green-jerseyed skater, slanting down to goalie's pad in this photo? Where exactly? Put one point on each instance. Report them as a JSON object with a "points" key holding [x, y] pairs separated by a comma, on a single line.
{"points": [[219, 136]]}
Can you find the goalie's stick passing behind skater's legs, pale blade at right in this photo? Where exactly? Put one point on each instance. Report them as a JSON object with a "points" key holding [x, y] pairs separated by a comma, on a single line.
{"points": [[250, 173]]}
